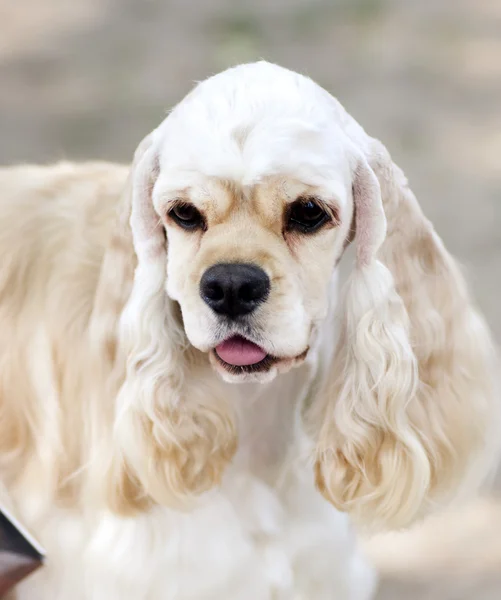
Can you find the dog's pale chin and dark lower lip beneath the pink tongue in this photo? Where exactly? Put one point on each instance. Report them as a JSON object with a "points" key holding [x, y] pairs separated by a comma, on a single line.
{"points": [[262, 372]]}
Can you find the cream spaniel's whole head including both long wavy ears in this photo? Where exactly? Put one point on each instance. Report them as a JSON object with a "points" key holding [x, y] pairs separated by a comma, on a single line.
{"points": [[243, 201]]}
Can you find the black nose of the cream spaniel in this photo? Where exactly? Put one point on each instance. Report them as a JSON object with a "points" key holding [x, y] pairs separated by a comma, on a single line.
{"points": [[234, 289]]}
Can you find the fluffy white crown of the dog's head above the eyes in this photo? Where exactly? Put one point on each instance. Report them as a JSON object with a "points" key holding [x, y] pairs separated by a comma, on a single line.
{"points": [[253, 122]]}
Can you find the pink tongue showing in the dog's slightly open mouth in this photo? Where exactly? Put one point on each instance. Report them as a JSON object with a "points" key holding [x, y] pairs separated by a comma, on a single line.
{"points": [[239, 355]]}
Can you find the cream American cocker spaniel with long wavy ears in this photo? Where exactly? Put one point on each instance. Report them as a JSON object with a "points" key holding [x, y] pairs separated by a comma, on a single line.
{"points": [[187, 409]]}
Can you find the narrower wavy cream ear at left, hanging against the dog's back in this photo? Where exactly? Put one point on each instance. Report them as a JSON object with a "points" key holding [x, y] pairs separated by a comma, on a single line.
{"points": [[174, 432]]}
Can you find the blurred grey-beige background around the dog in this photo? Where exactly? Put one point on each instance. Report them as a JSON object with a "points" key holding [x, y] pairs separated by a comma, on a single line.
{"points": [[89, 78]]}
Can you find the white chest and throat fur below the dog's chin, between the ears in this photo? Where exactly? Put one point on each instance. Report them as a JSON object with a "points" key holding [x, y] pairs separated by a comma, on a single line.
{"points": [[266, 534]]}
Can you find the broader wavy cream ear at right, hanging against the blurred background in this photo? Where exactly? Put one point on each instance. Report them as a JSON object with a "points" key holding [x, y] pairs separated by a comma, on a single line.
{"points": [[408, 418]]}
